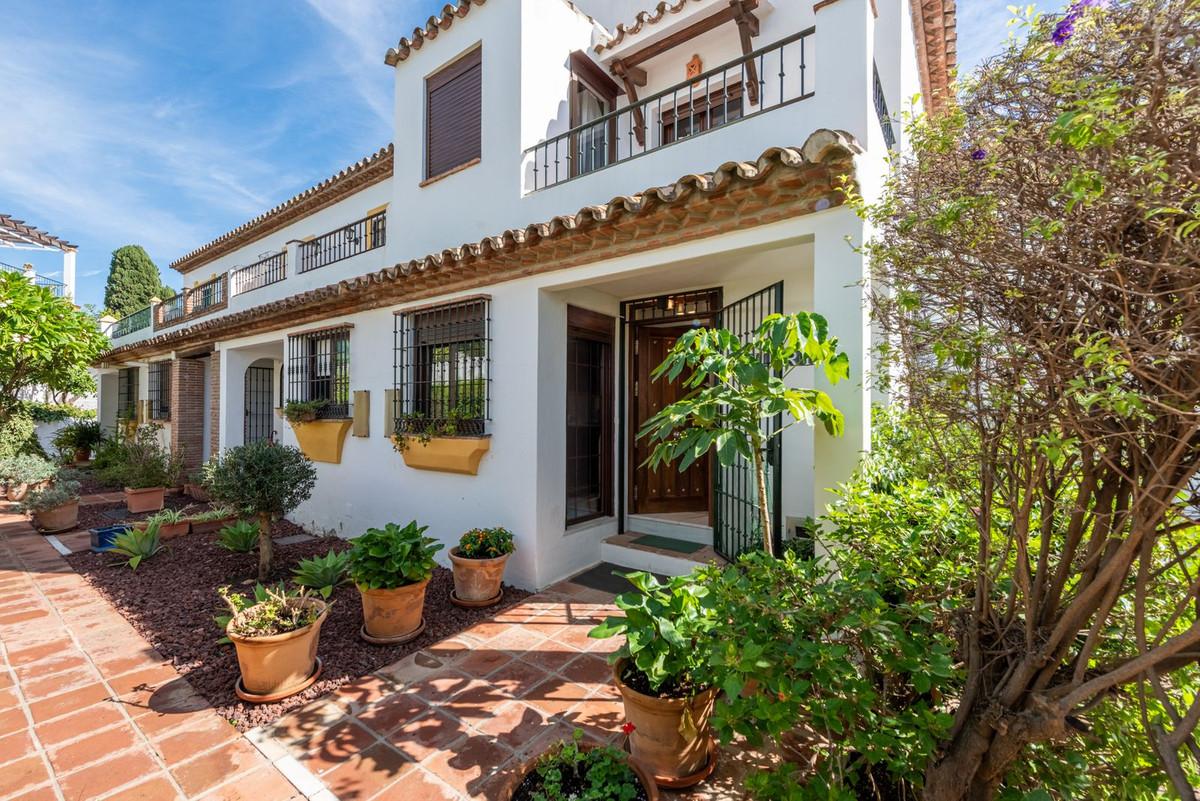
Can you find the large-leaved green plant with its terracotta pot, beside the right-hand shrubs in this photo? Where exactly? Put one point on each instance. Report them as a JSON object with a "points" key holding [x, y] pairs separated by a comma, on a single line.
{"points": [[659, 670]]}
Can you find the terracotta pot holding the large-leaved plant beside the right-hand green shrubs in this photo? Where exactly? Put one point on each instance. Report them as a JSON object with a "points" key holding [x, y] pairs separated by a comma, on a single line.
{"points": [[657, 743]]}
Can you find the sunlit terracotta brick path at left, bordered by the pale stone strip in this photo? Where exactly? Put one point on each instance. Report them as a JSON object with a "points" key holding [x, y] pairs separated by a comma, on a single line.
{"points": [[91, 712]]}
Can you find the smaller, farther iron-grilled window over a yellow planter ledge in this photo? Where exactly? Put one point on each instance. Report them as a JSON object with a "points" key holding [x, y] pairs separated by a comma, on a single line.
{"points": [[320, 370]]}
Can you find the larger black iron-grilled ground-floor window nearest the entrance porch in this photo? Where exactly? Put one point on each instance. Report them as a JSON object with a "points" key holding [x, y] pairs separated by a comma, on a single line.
{"points": [[443, 369]]}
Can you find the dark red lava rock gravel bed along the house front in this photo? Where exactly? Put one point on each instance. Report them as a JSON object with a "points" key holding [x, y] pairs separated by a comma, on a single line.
{"points": [[172, 601]]}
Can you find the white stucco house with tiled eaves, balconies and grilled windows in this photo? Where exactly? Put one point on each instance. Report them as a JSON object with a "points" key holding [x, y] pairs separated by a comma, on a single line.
{"points": [[565, 195]]}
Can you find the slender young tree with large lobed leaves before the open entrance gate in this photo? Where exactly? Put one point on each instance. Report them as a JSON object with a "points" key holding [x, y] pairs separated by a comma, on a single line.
{"points": [[735, 387]]}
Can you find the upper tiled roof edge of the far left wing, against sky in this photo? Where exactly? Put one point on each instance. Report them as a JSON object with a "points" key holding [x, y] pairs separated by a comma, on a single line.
{"points": [[359, 176]]}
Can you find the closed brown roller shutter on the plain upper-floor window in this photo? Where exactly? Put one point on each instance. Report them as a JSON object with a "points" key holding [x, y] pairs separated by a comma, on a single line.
{"points": [[454, 115]]}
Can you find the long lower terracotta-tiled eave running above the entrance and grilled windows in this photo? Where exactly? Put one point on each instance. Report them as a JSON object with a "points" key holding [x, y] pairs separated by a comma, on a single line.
{"points": [[807, 172]]}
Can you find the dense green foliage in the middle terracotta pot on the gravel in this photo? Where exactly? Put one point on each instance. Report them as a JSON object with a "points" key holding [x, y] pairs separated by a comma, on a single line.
{"points": [[383, 559]]}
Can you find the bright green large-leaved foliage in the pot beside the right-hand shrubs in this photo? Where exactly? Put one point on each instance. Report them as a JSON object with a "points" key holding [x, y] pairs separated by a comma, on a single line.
{"points": [[665, 628]]}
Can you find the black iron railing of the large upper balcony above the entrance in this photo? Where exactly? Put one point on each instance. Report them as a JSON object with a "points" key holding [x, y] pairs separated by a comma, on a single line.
{"points": [[766, 80]]}
